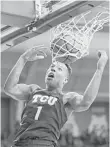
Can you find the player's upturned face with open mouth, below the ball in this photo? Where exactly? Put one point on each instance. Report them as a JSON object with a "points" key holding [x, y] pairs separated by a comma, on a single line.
{"points": [[56, 75]]}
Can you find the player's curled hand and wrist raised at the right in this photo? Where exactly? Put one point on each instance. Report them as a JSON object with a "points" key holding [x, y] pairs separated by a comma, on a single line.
{"points": [[102, 59]]}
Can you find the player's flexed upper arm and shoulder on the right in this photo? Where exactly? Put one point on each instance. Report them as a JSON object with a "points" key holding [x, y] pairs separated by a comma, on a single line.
{"points": [[76, 101]]}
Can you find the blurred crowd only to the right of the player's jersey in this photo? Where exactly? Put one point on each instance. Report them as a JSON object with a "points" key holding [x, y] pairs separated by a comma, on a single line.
{"points": [[86, 139]]}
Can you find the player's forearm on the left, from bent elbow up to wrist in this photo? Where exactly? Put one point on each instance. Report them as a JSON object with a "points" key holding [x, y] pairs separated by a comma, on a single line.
{"points": [[13, 77]]}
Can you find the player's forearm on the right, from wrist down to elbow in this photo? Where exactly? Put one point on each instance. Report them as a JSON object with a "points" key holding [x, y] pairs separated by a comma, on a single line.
{"points": [[93, 87]]}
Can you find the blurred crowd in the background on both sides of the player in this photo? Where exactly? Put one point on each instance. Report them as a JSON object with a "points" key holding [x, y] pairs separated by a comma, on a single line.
{"points": [[67, 139]]}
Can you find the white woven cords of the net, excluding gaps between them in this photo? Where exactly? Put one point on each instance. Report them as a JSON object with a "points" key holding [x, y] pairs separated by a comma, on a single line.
{"points": [[85, 33]]}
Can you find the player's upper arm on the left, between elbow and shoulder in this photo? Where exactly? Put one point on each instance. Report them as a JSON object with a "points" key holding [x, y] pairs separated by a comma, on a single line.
{"points": [[20, 92]]}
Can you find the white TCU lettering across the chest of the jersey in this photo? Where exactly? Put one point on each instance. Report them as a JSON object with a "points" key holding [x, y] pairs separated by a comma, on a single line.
{"points": [[44, 99]]}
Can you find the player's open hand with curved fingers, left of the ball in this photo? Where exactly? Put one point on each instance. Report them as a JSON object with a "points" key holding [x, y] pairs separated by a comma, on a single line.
{"points": [[34, 53]]}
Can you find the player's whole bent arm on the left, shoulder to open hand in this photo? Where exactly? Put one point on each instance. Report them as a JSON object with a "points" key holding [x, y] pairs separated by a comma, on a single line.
{"points": [[11, 87]]}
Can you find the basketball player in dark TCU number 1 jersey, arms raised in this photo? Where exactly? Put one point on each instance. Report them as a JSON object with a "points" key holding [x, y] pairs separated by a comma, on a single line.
{"points": [[45, 110]]}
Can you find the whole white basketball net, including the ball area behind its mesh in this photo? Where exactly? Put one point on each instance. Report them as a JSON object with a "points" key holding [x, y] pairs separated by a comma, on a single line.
{"points": [[79, 36]]}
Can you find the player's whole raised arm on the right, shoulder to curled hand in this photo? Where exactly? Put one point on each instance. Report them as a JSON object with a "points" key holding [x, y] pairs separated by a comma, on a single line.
{"points": [[83, 102]]}
